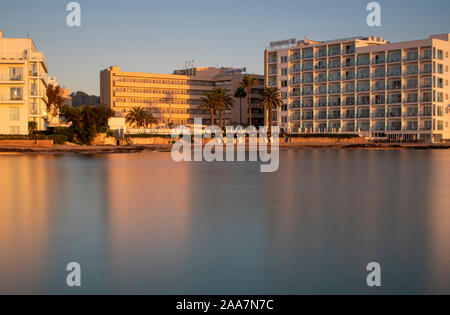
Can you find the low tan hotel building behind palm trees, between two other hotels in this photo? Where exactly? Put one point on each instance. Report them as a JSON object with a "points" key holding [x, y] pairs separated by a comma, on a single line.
{"points": [[173, 99]]}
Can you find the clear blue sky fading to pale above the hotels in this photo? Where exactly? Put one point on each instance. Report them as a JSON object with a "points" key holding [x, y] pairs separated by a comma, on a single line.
{"points": [[158, 36]]}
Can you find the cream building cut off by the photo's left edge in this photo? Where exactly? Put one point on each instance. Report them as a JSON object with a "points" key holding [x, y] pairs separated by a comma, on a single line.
{"points": [[23, 85]]}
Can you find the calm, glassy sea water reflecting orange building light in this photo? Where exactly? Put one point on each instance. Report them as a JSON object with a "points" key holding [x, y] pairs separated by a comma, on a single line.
{"points": [[141, 223]]}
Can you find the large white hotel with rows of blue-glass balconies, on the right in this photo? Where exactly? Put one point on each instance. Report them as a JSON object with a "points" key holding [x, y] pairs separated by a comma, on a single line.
{"points": [[395, 91]]}
